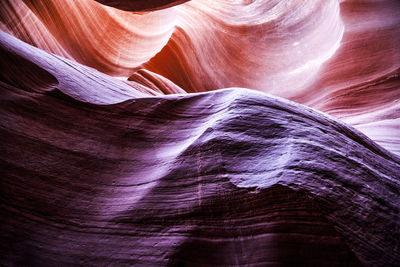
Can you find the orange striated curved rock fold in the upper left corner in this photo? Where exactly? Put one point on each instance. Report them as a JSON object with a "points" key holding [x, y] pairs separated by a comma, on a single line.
{"points": [[110, 40]]}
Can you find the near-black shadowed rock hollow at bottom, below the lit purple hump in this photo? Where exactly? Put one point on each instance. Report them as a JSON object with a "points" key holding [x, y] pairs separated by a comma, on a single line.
{"points": [[275, 226]]}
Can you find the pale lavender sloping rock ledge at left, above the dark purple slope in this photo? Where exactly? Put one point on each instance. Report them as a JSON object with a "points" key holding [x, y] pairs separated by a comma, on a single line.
{"points": [[84, 83]]}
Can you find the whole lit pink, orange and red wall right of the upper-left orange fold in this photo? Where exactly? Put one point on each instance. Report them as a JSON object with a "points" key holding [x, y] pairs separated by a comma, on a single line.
{"points": [[311, 60]]}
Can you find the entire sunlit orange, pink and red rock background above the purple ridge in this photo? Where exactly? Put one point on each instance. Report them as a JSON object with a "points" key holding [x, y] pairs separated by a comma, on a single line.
{"points": [[336, 56]]}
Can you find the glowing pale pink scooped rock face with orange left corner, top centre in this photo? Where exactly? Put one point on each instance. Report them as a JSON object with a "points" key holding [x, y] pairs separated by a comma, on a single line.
{"points": [[272, 46]]}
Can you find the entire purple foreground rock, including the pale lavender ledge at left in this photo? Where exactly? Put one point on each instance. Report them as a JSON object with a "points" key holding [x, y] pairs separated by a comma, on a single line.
{"points": [[229, 177]]}
